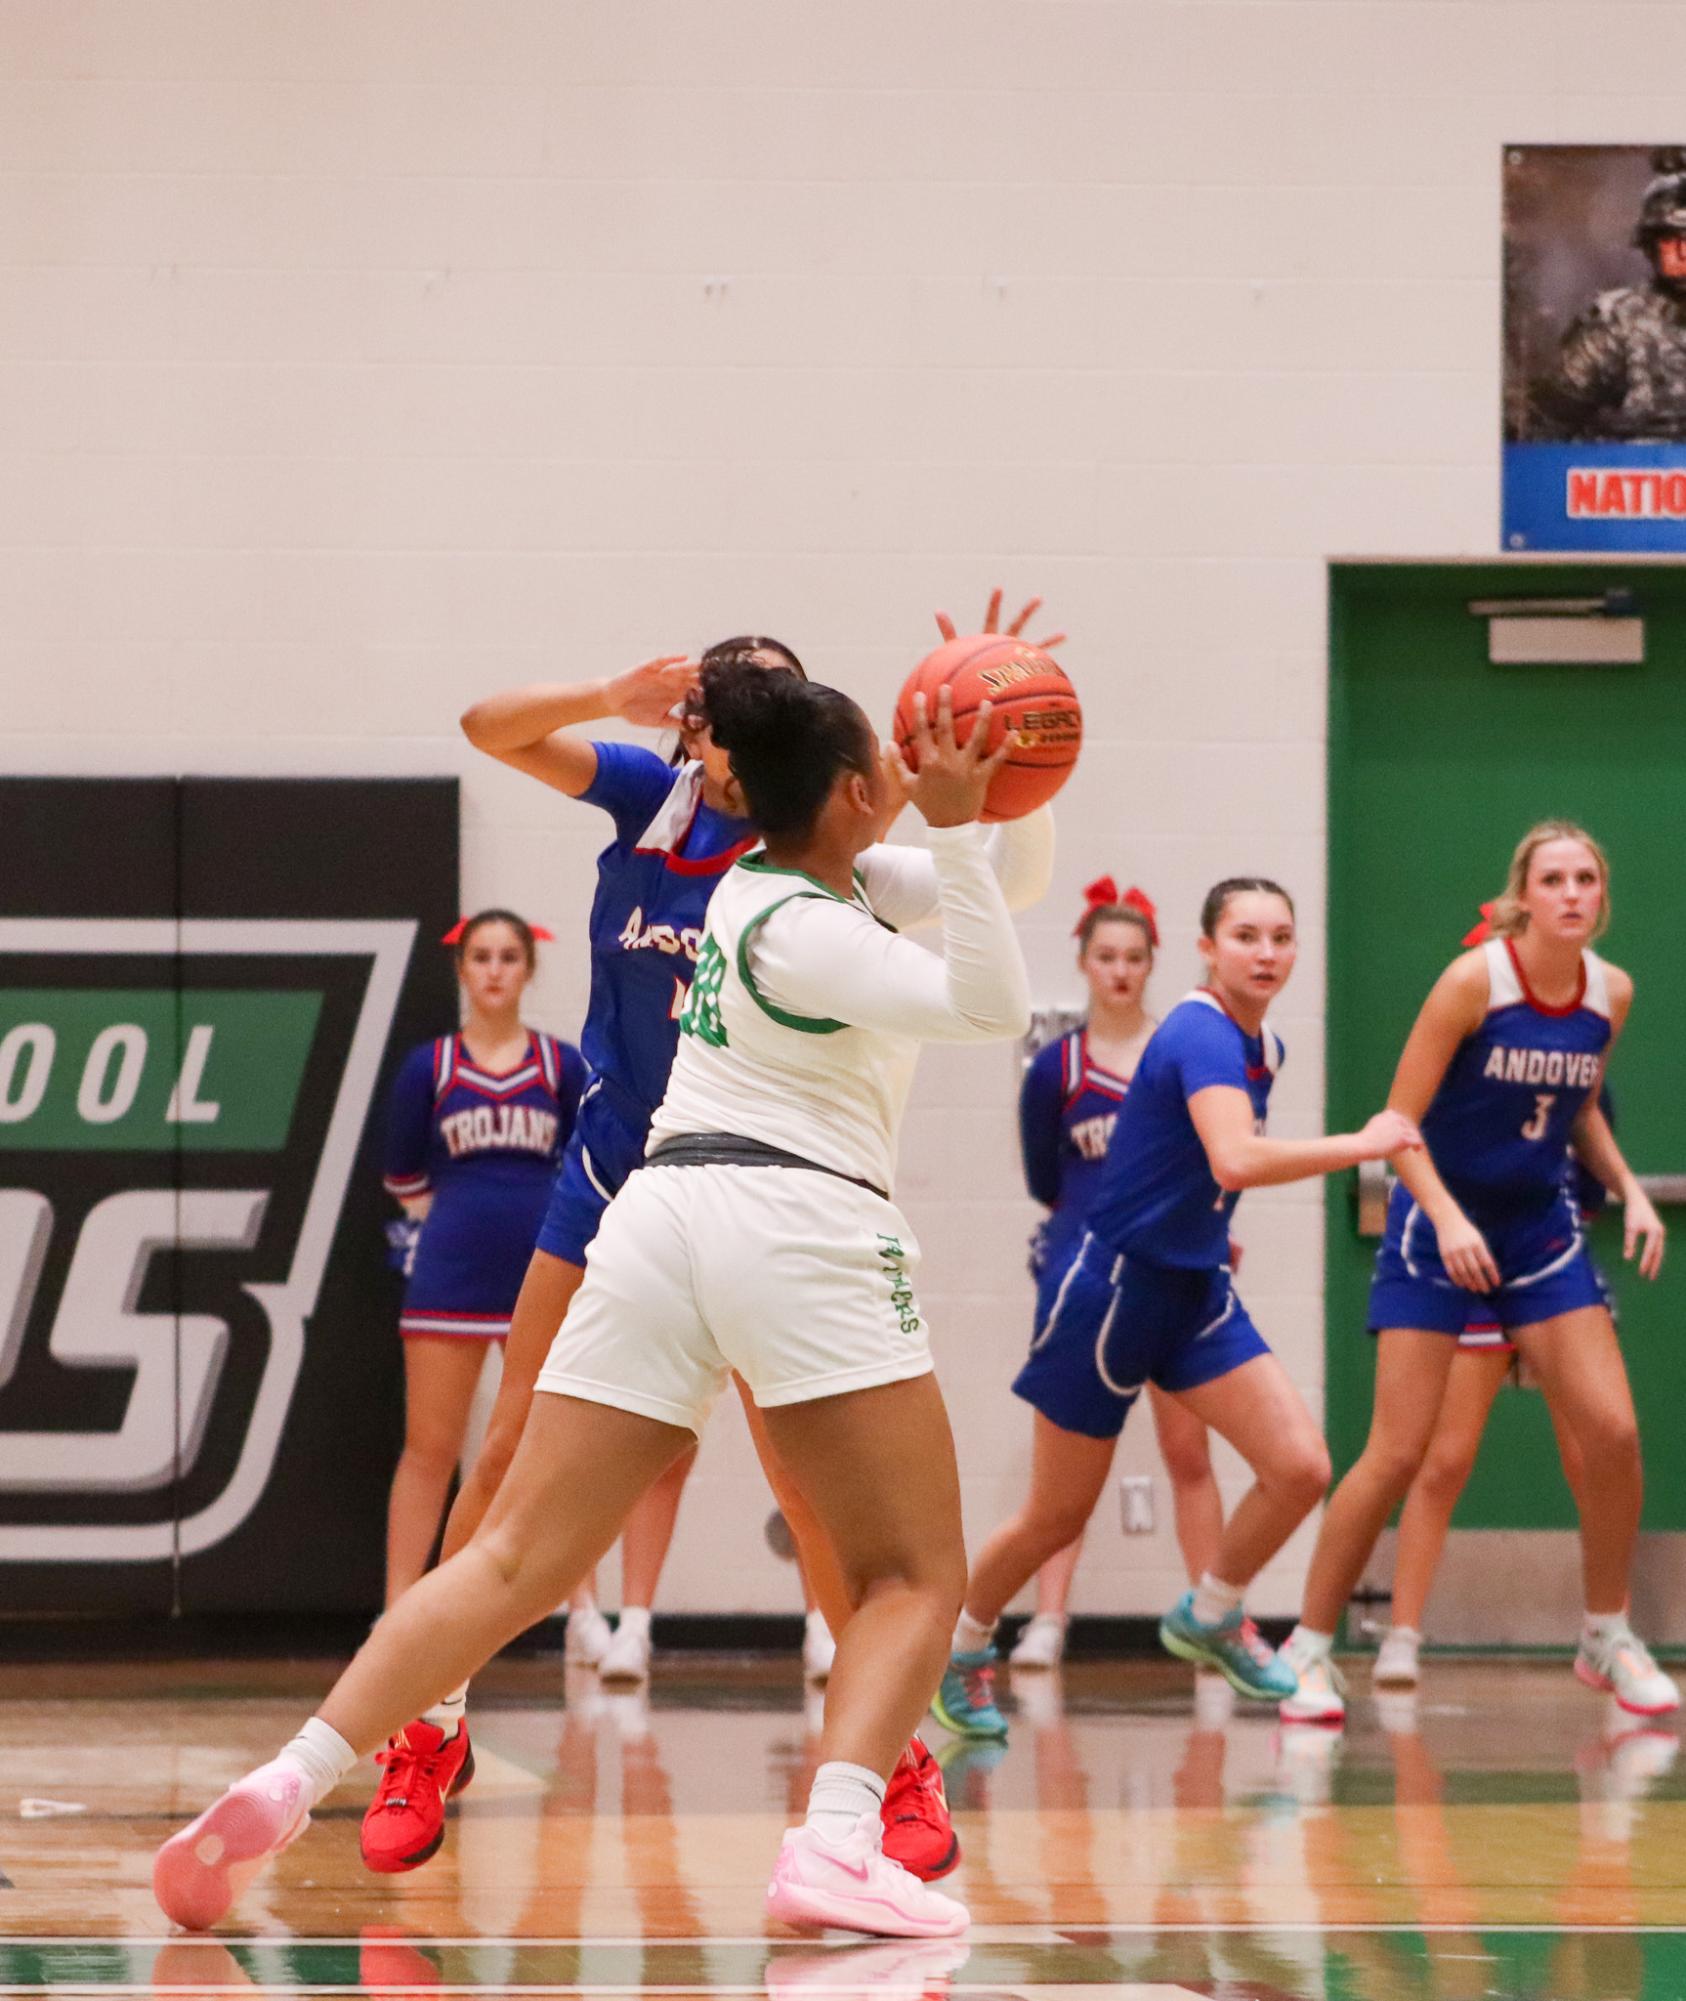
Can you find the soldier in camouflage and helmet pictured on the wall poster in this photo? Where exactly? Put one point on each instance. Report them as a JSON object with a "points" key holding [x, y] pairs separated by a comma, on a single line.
{"points": [[1623, 363]]}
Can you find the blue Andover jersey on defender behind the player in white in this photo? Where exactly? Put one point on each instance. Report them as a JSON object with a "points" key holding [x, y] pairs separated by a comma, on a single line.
{"points": [[655, 881]]}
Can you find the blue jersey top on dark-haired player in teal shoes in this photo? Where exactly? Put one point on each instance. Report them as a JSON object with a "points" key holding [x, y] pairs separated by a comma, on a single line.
{"points": [[1157, 1194]]}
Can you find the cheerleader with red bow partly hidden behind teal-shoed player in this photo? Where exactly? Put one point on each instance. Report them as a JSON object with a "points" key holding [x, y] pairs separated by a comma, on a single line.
{"points": [[1067, 1112]]}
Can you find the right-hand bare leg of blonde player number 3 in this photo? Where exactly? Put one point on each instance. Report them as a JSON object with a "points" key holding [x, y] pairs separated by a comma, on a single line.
{"points": [[1579, 1364]]}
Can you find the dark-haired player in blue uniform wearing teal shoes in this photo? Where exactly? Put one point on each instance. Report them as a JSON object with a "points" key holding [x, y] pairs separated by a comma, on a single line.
{"points": [[1151, 1300]]}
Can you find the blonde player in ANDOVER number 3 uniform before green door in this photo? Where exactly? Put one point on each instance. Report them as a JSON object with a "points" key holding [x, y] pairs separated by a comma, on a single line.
{"points": [[1503, 1070]]}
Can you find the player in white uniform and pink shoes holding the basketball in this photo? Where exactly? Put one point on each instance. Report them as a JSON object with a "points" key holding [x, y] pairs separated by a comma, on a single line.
{"points": [[759, 1238]]}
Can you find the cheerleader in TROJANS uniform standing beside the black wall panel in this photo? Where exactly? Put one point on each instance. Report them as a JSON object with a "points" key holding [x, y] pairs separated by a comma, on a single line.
{"points": [[477, 1126]]}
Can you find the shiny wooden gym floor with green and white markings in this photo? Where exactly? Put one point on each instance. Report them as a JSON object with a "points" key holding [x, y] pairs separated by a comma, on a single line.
{"points": [[1505, 1834]]}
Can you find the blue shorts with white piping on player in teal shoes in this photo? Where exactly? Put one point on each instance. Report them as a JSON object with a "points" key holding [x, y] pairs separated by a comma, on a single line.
{"points": [[1115, 1324]]}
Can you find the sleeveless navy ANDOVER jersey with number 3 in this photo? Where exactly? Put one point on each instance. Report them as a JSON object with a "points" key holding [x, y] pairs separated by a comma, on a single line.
{"points": [[1501, 1122]]}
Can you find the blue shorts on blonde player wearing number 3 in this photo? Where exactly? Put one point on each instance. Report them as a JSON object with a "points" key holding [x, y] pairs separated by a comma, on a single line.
{"points": [[1541, 1254]]}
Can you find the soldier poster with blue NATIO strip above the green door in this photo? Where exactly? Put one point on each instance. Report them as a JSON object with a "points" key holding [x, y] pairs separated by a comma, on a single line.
{"points": [[1595, 347]]}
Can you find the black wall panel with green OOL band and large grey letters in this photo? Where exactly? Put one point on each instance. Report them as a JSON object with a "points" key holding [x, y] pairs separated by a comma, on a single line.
{"points": [[201, 1006]]}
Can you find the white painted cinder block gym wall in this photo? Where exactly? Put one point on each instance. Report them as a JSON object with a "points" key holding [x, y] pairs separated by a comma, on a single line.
{"points": [[365, 359]]}
